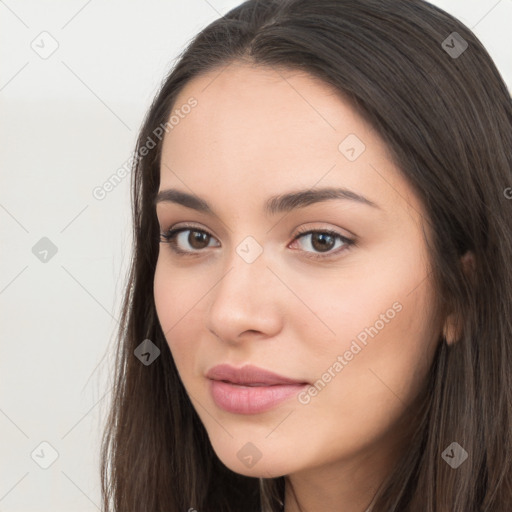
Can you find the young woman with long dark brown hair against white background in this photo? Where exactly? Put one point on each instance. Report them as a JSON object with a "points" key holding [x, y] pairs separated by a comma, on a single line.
{"points": [[319, 311]]}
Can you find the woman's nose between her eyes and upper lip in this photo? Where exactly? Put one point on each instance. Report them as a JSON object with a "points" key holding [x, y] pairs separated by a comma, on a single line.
{"points": [[248, 301]]}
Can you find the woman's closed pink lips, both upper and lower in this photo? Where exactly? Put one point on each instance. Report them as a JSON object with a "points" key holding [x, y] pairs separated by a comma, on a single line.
{"points": [[250, 390]]}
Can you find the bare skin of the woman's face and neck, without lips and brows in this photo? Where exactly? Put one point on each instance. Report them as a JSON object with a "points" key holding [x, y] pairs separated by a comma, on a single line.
{"points": [[254, 133]]}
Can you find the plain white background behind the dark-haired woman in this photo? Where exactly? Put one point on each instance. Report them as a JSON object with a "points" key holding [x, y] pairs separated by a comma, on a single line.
{"points": [[67, 123]]}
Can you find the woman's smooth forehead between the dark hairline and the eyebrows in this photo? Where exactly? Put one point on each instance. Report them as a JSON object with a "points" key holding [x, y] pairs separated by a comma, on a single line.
{"points": [[262, 130]]}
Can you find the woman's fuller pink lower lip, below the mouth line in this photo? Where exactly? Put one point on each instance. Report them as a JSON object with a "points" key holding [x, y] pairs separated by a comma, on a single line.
{"points": [[251, 399]]}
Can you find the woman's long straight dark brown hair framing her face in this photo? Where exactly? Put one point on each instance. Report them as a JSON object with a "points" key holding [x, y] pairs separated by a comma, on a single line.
{"points": [[446, 118]]}
